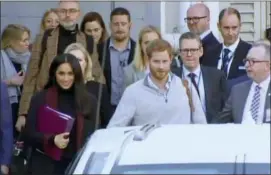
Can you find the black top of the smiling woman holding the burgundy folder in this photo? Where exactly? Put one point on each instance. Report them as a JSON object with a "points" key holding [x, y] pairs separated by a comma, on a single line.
{"points": [[66, 104]]}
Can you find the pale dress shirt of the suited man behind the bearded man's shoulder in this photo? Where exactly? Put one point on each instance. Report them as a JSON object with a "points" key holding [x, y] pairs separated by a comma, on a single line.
{"points": [[199, 82]]}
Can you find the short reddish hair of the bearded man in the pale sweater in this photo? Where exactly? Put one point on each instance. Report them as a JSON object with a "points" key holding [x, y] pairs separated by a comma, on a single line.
{"points": [[159, 45]]}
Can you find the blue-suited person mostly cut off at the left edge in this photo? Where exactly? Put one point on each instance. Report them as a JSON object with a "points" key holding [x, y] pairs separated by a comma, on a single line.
{"points": [[6, 131]]}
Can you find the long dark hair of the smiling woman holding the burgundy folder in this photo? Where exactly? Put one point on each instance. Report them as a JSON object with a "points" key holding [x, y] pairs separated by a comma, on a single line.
{"points": [[81, 94]]}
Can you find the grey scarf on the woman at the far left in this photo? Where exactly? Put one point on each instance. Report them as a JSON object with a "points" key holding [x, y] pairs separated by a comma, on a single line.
{"points": [[8, 70]]}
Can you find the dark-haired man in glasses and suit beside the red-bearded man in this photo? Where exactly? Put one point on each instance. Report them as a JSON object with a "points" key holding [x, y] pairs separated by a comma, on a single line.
{"points": [[209, 83]]}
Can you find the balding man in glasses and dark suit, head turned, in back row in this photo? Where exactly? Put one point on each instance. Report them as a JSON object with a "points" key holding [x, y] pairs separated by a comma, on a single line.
{"points": [[198, 22]]}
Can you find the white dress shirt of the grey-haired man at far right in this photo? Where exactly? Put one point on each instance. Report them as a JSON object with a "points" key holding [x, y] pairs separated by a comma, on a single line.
{"points": [[247, 116]]}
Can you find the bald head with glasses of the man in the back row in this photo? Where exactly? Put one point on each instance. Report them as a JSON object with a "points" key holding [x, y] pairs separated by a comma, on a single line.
{"points": [[198, 18]]}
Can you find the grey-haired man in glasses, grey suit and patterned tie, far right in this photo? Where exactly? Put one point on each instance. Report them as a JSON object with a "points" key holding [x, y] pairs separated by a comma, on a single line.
{"points": [[249, 102]]}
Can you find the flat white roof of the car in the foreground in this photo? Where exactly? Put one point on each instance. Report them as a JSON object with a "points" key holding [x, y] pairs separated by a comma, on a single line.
{"points": [[200, 144]]}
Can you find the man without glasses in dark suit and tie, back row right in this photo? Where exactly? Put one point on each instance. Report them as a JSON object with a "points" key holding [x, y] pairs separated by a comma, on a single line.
{"points": [[229, 55]]}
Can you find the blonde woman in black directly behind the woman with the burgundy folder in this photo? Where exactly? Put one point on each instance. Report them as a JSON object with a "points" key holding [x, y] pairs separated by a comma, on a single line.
{"points": [[92, 86]]}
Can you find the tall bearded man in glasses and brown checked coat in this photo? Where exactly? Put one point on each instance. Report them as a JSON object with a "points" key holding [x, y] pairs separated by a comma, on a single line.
{"points": [[49, 45]]}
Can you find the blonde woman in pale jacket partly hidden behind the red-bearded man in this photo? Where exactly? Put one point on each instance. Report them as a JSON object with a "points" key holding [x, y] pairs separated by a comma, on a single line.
{"points": [[139, 68]]}
